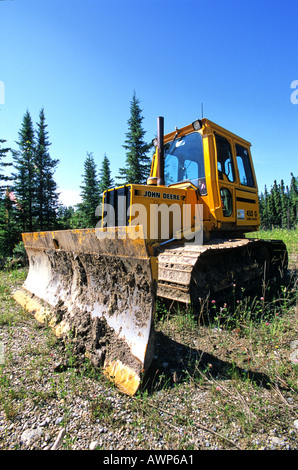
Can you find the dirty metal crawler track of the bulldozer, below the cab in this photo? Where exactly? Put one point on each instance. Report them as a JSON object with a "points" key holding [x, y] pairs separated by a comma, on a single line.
{"points": [[190, 273]]}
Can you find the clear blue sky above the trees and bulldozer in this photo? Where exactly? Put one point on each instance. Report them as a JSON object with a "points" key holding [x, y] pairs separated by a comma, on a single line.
{"points": [[81, 60]]}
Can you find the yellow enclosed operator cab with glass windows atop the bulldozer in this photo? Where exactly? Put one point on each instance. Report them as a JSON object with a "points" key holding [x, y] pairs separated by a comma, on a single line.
{"points": [[218, 165]]}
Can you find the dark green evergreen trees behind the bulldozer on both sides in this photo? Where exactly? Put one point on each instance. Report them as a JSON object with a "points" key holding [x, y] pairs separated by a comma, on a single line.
{"points": [[29, 196]]}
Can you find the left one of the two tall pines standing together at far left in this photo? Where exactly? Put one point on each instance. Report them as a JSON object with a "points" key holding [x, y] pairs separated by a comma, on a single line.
{"points": [[25, 176]]}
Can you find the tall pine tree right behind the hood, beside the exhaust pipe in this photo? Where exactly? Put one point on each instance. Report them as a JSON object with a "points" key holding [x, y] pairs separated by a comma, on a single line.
{"points": [[137, 162]]}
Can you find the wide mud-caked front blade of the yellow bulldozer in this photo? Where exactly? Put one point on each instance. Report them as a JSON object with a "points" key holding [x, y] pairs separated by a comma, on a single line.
{"points": [[98, 286]]}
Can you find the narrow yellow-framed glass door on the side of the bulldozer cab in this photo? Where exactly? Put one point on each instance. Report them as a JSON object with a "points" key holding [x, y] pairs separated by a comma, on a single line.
{"points": [[226, 177]]}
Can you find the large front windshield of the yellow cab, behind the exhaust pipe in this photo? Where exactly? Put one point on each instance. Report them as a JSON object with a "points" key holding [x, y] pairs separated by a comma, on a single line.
{"points": [[184, 161]]}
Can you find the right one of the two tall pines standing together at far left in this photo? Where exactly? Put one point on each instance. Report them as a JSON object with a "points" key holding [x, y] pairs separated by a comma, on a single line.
{"points": [[46, 187]]}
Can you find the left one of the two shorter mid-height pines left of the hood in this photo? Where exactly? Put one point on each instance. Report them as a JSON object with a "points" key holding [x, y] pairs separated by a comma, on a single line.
{"points": [[90, 193]]}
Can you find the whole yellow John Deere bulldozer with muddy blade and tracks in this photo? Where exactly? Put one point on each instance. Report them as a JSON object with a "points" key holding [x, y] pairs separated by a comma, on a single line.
{"points": [[179, 236]]}
